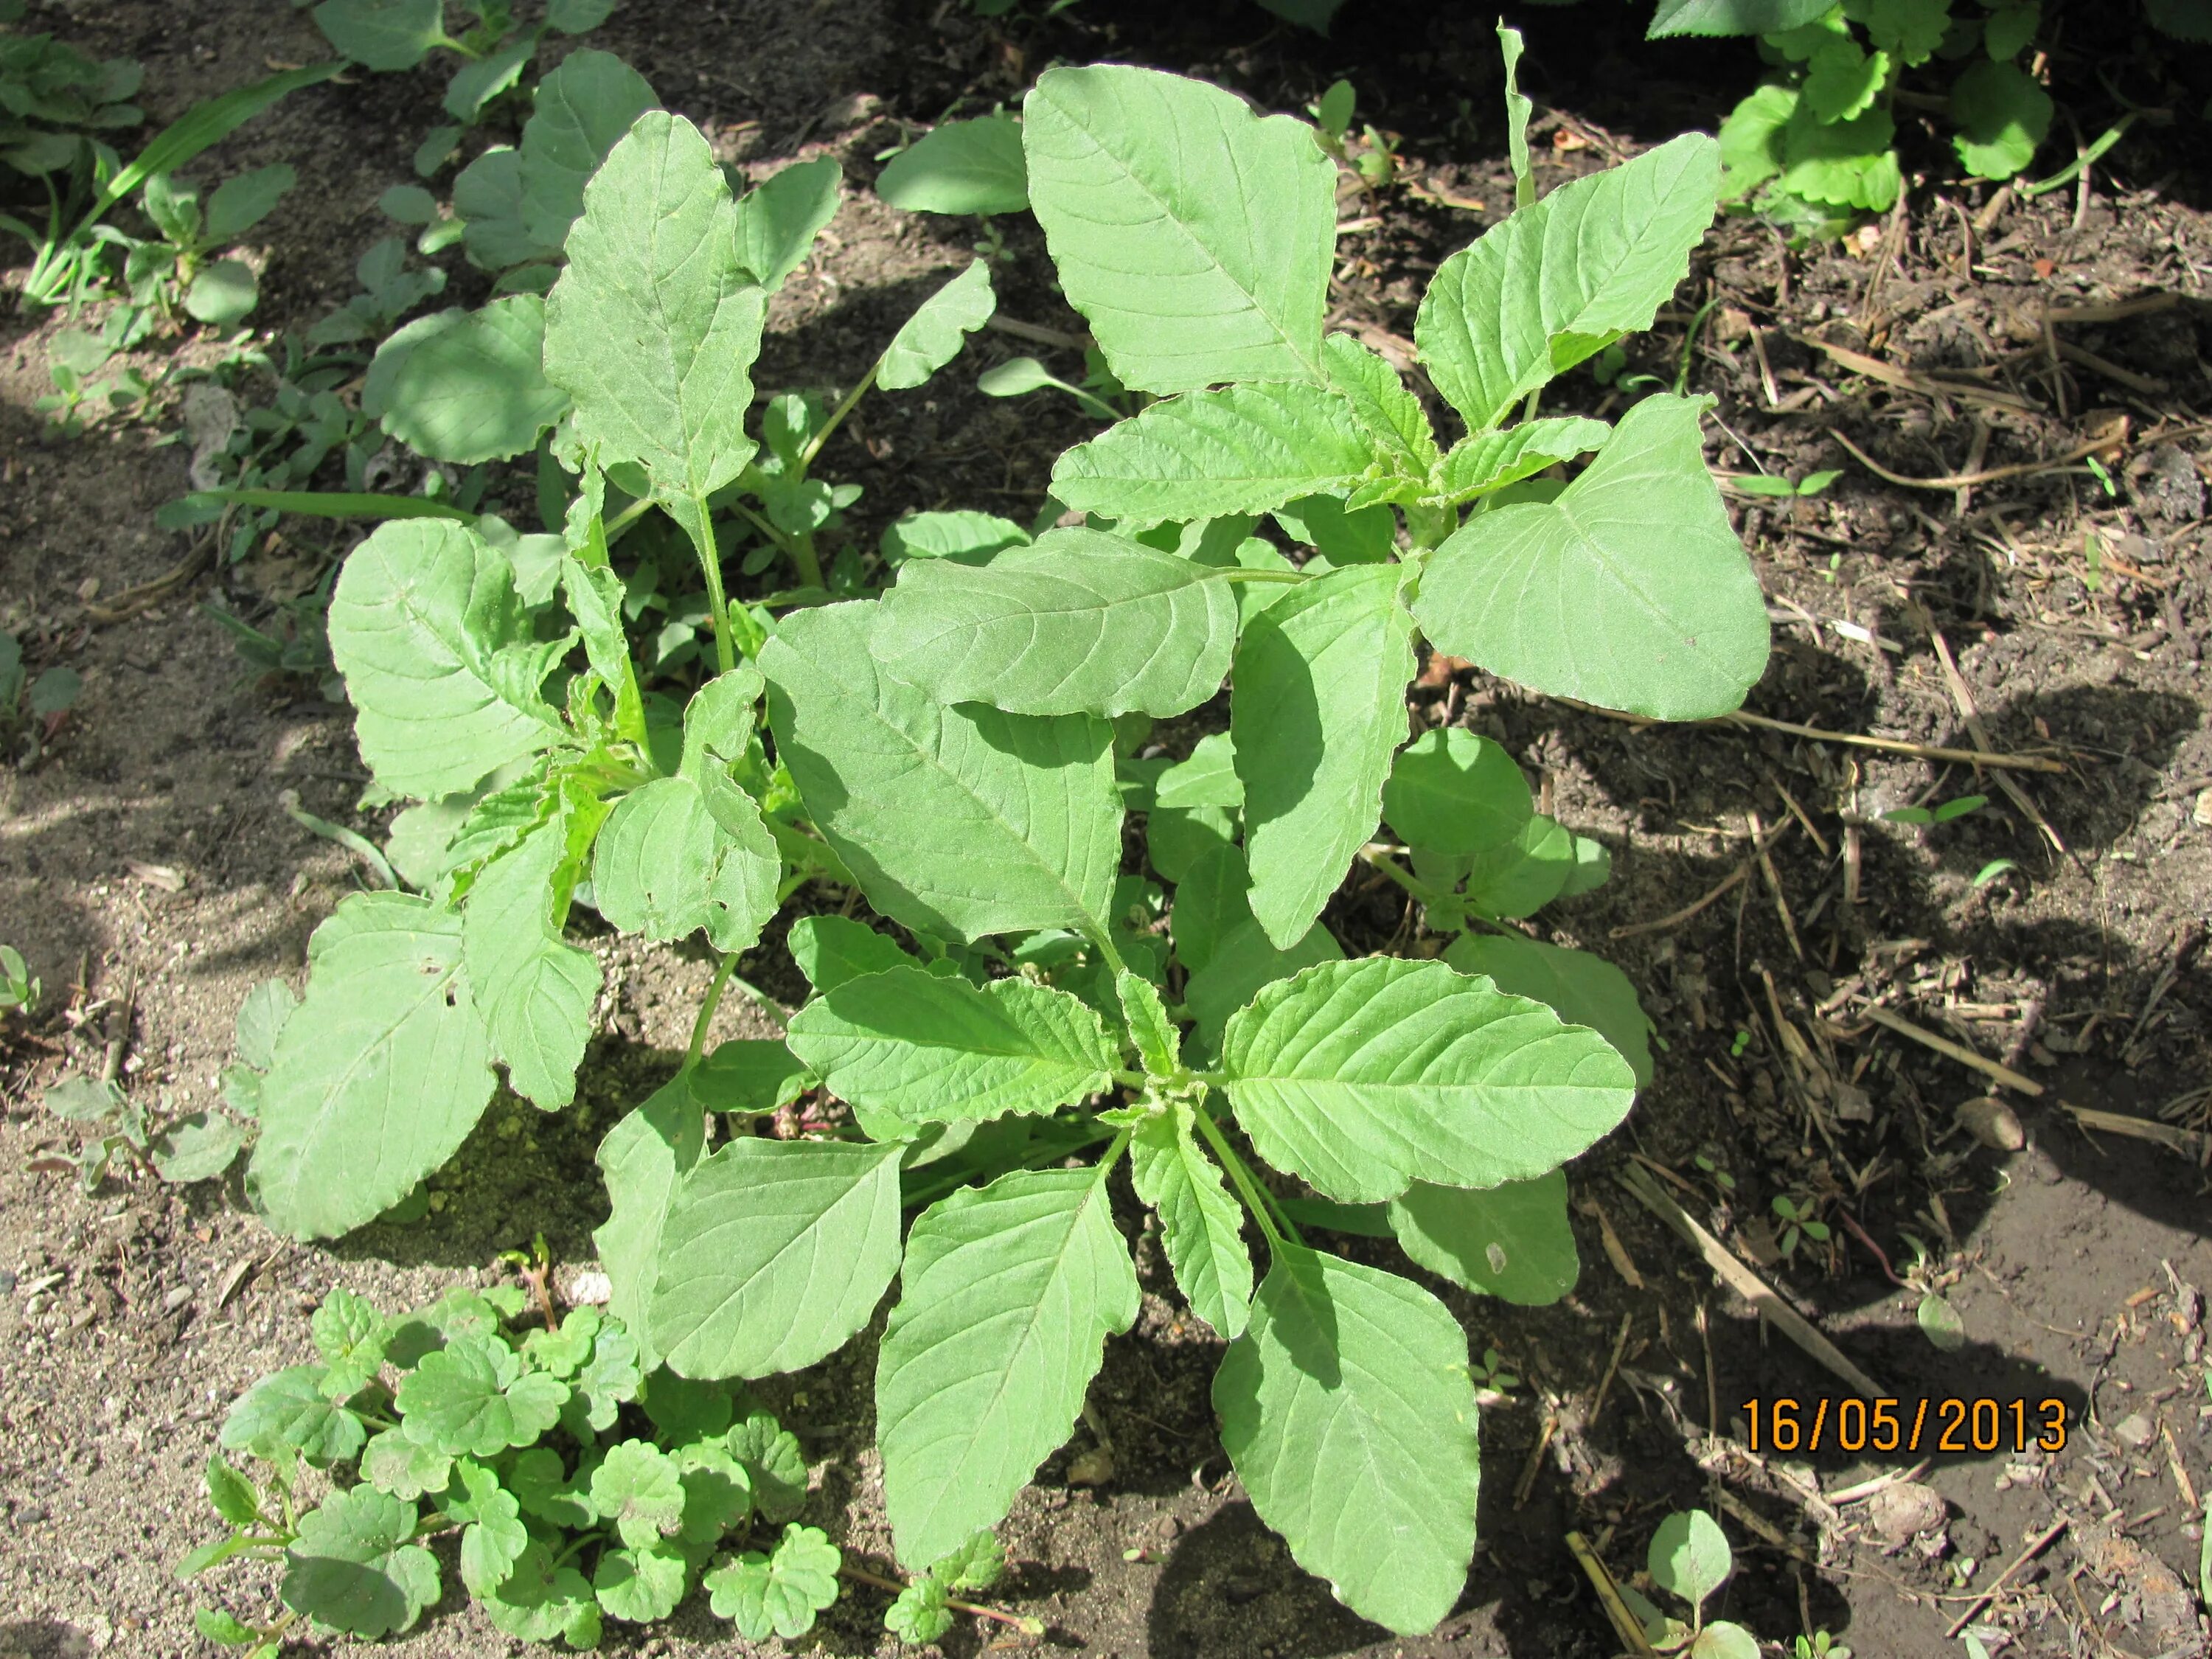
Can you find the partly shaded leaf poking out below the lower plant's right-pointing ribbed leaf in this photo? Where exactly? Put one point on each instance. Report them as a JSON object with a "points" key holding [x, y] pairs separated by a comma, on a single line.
{"points": [[1512, 1242]]}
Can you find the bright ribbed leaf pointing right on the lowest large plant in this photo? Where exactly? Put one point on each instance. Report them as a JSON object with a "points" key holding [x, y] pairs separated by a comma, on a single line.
{"points": [[1370, 1076]]}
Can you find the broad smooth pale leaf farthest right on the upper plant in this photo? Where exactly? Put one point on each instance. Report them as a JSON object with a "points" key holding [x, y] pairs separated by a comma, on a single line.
{"points": [[1627, 592]]}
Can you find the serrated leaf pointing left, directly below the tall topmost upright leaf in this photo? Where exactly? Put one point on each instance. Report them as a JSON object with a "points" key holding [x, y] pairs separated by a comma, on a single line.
{"points": [[1204, 455]]}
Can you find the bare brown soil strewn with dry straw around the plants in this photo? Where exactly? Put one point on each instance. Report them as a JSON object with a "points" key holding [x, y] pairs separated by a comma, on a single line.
{"points": [[1974, 1050]]}
